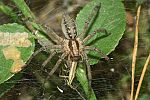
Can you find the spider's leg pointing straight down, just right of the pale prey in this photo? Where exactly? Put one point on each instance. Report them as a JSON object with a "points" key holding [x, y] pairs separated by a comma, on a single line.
{"points": [[85, 58]]}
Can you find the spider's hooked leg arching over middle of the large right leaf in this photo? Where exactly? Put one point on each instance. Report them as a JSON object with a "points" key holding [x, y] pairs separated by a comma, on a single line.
{"points": [[96, 31]]}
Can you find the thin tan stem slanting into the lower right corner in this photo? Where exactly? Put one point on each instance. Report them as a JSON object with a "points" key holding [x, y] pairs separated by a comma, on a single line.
{"points": [[142, 76]]}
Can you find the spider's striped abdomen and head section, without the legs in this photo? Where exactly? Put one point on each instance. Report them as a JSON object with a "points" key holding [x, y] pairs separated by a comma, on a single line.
{"points": [[71, 45]]}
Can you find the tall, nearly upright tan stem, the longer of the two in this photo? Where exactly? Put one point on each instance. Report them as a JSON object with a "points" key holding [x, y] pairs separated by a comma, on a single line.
{"points": [[135, 51]]}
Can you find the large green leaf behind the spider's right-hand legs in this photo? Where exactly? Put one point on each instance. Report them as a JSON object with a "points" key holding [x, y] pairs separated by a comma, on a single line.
{"points": [[111, 17]]}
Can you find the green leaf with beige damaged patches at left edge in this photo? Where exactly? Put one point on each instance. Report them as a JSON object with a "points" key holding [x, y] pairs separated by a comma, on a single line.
{"points": [[16, 47]]}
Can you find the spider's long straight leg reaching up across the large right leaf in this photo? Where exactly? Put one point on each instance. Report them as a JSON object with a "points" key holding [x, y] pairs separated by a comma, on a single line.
{"points": [[90, 18]]}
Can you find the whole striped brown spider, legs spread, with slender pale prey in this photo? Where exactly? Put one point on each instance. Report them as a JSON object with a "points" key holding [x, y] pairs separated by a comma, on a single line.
{"points": [[73, 46]]}
